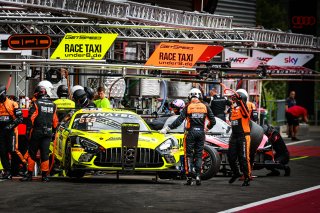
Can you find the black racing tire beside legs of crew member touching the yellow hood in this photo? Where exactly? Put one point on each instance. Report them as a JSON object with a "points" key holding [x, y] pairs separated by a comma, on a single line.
{"points": [[211, 162]]}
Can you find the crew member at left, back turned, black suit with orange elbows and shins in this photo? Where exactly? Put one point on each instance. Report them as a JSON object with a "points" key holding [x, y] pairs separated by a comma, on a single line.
{"points": [[41, 127]]}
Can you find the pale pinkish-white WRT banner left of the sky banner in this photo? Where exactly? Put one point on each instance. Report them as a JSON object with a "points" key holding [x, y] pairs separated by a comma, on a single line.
{"points": [[238, 60]]}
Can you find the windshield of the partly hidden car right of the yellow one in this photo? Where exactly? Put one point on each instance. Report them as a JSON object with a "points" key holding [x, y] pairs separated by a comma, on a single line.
{"points": [[220, 127]]}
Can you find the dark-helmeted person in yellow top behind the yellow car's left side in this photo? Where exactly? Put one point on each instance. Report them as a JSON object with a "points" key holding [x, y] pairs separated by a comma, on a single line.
{"points": [[64, 104]]}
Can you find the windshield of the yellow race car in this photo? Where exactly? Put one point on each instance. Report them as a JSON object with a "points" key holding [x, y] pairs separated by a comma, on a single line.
{"points": [[105, 121]]}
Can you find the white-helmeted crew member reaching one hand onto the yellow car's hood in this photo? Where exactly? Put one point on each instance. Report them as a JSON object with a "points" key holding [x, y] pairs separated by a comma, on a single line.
{"points": [[195, 114]]}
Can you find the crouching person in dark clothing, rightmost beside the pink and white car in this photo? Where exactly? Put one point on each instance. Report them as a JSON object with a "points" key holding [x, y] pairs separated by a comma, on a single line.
{"points": [[282, 155]]}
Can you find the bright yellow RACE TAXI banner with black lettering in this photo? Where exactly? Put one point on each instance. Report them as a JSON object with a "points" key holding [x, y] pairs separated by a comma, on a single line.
{"points": [[84, 46]]}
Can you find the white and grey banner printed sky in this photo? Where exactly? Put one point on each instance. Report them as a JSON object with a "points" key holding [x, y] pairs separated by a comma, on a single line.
{"points": [[290, 59]]}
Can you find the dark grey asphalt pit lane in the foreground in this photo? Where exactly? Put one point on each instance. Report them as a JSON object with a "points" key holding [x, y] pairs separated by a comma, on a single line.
{"points": [[142, 194]]}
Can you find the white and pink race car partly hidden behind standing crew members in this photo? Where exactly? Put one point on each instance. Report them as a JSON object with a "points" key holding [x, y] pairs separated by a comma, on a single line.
{"points": [[216, 147]]}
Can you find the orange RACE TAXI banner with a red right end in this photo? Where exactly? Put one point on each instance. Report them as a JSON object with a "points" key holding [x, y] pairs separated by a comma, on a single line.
{"points": [[181, 54]]}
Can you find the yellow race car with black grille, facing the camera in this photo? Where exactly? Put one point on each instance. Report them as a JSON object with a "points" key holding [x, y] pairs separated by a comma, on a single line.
{"points": [[113, 140]]}
